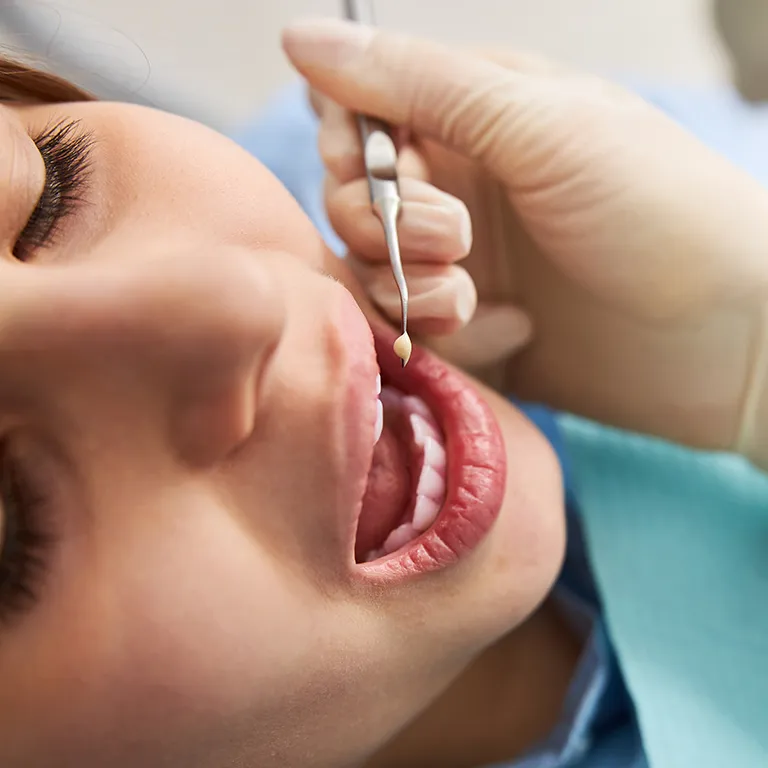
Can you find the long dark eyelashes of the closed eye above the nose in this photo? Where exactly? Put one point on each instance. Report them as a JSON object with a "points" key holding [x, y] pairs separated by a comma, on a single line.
{"points": [[66, 152]]}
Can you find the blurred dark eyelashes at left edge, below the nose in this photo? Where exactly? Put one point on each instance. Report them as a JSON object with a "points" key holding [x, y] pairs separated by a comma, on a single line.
{"points": [[24, 545]]}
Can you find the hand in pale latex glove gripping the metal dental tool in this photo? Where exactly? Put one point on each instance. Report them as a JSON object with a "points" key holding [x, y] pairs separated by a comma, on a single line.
{"points": [[640, 256]]}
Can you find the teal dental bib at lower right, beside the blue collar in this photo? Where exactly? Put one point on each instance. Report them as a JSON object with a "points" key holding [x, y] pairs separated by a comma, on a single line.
{"points": [[679, 543]]}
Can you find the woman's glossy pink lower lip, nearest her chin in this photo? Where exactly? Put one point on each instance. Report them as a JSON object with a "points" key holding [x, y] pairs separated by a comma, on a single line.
{"points": [[476, 462]]}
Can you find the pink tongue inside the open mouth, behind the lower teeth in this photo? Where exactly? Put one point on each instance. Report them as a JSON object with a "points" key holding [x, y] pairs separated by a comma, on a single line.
{"points": [[389, 488]]}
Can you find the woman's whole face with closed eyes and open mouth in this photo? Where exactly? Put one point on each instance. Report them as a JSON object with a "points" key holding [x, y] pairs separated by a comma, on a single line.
{"points": [[188, 416]]}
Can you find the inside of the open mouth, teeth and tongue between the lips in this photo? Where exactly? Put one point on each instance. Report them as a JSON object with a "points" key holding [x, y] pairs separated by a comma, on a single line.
{"points": [[407, 480]]}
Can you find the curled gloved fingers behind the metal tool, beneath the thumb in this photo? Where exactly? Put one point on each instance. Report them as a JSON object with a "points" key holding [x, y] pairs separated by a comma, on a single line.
{"points": [[435, 232]]}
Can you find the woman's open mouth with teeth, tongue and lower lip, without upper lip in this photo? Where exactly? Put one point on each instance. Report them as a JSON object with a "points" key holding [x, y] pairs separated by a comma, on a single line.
{"points": [[436, 481]]}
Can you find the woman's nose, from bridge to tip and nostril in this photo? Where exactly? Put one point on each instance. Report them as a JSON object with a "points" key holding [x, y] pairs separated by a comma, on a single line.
{"points": [[182, 342]]}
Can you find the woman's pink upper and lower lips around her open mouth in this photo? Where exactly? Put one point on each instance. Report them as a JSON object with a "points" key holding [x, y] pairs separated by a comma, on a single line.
{"points": [[476, 458]]}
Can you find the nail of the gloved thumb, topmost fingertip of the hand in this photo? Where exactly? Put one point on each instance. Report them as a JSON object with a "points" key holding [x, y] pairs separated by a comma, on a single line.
{"points": [[325, 42]]}
